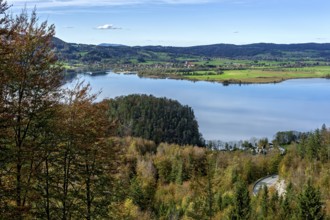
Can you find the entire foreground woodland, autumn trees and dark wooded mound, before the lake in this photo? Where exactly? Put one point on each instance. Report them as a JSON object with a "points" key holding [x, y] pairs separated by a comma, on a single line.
{"points": [[65, 156]]}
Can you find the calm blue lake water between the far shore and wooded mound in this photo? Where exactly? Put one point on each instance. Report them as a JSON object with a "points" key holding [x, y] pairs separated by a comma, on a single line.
{"points": [[233, 112]]}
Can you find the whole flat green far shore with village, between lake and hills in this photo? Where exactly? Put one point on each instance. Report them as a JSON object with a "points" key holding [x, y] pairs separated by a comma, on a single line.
{"points": [[160, 65]]}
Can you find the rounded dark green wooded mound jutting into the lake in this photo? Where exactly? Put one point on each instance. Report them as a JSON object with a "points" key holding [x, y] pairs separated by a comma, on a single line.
{"points": [[157, 119]]}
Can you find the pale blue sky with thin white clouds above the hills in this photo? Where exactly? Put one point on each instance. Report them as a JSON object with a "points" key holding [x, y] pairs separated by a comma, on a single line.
{"points": [[184, 22]]}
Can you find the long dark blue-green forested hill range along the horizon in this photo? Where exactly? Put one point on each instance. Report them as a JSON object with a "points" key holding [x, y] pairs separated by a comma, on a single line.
{"points": [[265, 51]]}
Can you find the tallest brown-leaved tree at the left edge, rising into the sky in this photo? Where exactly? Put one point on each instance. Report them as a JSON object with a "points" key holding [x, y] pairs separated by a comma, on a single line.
{"points": [[30, 81]]}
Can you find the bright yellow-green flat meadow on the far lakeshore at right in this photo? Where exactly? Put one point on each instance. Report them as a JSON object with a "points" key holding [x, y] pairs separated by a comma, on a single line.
{"points": [[263, 76]]}
